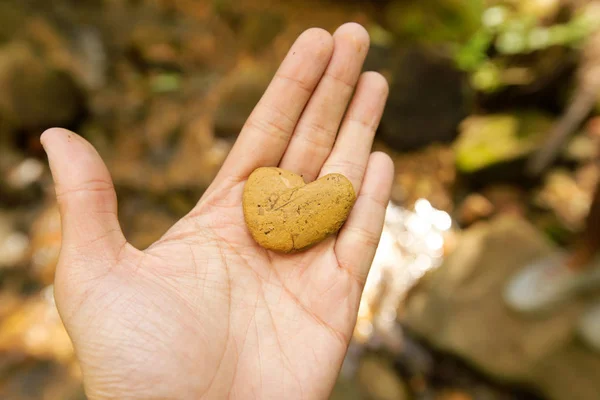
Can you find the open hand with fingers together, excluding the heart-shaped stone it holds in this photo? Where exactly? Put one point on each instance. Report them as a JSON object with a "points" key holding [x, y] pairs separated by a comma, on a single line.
{"points": [[205, 313]]}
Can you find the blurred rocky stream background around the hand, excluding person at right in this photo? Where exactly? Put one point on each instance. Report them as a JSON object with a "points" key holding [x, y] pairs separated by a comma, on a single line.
{"points": [[478, 87]]}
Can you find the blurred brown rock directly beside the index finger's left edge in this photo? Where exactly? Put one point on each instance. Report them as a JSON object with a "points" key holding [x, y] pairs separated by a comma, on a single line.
{"points": [[246, 86]]}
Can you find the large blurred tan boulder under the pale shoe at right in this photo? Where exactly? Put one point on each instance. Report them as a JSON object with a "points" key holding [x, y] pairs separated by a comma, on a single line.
{"points": [[459, 309]]}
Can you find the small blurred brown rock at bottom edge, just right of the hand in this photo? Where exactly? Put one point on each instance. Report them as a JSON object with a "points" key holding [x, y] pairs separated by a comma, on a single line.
{"points": [[379, 381]]}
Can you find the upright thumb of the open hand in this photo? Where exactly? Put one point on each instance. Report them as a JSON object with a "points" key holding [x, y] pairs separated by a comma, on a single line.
{"points": [[85, 194]]}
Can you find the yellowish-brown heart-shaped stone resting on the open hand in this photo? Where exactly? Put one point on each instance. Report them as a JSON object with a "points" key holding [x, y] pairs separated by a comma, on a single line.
{"points": [[285, 214]]}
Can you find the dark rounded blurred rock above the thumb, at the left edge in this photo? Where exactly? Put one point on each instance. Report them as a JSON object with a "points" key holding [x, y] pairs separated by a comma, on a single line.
{"points": [[33, 95]]}
